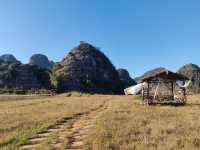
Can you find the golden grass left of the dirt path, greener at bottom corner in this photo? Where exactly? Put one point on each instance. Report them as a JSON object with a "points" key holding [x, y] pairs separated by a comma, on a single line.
{"points": [[21, 117]]}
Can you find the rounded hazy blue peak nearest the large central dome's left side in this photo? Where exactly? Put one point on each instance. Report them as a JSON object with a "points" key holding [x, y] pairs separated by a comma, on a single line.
{"points": [[41, 61]]}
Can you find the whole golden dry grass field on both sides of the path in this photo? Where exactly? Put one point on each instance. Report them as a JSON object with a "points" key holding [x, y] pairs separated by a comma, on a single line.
{"points": [[126, 125]]}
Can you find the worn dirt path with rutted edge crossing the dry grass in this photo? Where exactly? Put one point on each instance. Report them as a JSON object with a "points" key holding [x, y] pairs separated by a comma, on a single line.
{"points": [[69, 133]]}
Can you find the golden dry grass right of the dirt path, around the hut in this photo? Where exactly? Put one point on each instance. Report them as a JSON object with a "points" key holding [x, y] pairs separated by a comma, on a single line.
{"points": [[131, 126]]}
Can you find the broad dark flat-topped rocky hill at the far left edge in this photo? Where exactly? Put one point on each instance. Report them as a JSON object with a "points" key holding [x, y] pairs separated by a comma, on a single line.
{"points": [[25, 77]]}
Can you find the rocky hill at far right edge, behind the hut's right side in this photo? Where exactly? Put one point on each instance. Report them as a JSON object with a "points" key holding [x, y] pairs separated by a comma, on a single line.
{"points": [[192, 71]]}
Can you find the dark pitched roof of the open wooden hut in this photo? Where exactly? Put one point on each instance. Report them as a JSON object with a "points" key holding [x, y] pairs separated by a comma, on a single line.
{"points": [[163, 74]]}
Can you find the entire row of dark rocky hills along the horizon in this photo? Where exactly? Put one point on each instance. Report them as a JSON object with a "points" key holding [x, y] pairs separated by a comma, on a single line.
{"points": [[84, 69]]}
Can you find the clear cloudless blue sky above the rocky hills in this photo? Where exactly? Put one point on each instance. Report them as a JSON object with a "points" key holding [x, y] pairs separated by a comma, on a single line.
{"points": [[135, 34]]}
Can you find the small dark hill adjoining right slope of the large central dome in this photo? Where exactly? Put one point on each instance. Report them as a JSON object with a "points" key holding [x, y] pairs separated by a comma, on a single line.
{"points": [[125, 78]]}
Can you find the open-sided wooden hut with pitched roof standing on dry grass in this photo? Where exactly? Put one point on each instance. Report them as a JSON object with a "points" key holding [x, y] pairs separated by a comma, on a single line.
{"points": [[161, 87]]}
